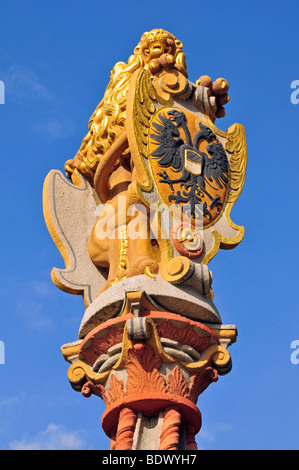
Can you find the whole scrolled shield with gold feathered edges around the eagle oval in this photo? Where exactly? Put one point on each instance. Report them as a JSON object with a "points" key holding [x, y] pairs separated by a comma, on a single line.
{"points": [[185, 164]]}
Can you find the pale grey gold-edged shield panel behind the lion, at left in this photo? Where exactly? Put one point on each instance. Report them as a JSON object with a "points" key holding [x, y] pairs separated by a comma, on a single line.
{"points": [[70, 213]]}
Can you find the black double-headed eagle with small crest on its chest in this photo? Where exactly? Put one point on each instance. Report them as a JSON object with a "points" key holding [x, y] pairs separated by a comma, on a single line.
{"points": [[198, 171]]}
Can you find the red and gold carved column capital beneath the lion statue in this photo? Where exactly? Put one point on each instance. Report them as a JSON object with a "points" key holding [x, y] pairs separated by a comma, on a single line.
{"points": [[139, 370]]}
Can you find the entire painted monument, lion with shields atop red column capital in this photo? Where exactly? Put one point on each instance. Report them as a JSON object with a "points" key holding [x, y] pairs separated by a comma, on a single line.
{"points": [[146, 207]]}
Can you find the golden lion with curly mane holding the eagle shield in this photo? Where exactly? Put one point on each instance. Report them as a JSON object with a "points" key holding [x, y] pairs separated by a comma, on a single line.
{"points": [[106, 158]]}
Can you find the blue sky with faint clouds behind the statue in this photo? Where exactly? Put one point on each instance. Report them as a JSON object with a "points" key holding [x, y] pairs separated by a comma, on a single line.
{"points": [[55, 60]]}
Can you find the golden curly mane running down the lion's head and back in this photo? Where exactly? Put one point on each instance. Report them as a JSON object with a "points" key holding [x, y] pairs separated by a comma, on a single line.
{"points": [[107, 122]]}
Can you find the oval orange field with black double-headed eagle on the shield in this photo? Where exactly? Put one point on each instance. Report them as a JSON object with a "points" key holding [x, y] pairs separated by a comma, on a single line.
{"points": [[188, 164]]}
